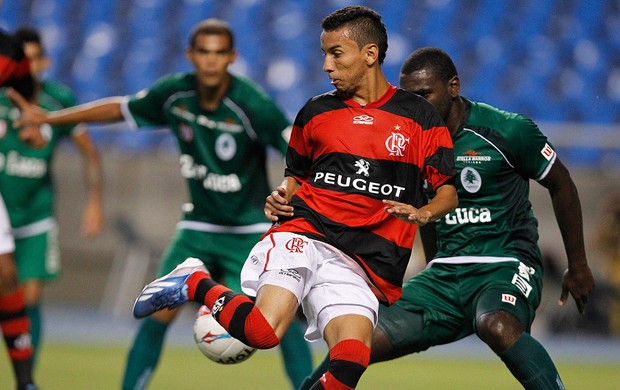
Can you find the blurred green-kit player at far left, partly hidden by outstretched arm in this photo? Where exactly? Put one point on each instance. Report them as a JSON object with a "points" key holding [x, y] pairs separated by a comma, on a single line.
{"points": [[27, 185]]}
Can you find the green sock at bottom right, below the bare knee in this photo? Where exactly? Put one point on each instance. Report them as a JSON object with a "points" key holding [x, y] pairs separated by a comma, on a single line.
{"points": [[531, 365]]}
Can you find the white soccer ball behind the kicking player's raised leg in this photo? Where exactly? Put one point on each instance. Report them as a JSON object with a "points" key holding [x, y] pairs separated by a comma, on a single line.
{"points": [[215, 343]]}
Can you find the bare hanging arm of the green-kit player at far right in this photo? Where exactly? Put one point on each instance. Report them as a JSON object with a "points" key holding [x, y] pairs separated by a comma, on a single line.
{"points": [[577, 279]]}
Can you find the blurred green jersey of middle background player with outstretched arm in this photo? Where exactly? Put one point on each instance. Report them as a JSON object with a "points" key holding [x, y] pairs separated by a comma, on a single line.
{"points": [[223, 152]]}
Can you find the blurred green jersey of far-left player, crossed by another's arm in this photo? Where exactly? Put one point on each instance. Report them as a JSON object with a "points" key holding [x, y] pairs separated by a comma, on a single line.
{"points": [[25, 172]]}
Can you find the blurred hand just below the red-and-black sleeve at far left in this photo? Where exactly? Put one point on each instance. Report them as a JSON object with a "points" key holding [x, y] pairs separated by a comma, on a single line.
{"points": [[30, 120]]}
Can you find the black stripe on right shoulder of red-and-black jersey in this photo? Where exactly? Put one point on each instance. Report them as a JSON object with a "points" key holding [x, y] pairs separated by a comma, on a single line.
{"points": [[410, 105]]}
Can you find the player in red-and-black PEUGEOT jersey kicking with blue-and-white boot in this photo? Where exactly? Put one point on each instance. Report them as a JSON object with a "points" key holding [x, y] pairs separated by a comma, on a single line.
{"points": [[353, 153]]}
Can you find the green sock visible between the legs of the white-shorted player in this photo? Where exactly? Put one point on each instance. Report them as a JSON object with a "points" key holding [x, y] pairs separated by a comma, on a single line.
{"points": [[296, 354]]}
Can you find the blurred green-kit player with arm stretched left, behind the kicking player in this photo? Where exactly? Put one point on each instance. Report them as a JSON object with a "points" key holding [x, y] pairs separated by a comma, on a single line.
{"points": [[223, 124]]}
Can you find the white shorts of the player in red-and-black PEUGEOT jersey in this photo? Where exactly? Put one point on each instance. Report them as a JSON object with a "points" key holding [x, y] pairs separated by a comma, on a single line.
{"points": [[325, 281]]}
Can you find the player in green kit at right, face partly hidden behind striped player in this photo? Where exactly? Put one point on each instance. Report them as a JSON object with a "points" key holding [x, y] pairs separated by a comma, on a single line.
{"points": [[486, 272]]}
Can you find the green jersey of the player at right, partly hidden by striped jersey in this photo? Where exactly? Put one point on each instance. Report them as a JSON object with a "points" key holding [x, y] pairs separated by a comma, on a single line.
{"points": [[496, 154]]}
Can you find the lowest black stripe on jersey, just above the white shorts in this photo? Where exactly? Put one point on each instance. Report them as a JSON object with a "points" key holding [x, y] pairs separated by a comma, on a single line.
{"points": [[376, 251]]}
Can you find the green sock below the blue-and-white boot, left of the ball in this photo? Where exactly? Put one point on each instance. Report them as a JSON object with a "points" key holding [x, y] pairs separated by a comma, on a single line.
{"points": [[144, 354]]}
